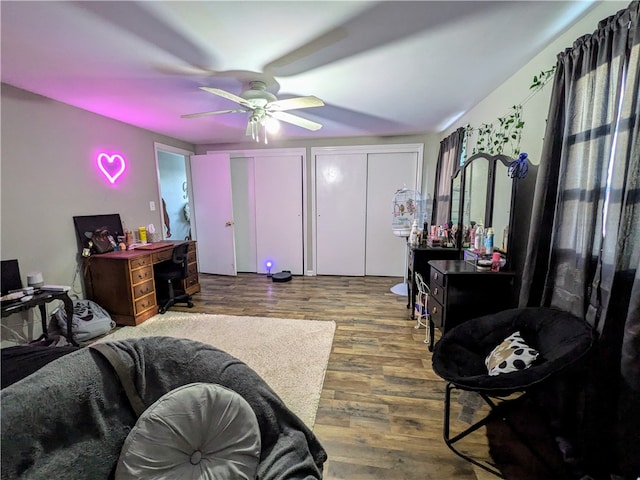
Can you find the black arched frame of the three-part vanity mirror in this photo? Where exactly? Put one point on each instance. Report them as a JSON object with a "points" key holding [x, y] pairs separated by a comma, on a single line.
{"points": [[489, 205]]}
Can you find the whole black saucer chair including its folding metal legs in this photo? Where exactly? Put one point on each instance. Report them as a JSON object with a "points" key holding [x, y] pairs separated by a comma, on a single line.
{"points": [[459, 358]]}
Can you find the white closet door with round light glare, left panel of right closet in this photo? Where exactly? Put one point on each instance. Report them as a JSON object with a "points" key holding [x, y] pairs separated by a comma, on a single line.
{"points": [[341, 205]]}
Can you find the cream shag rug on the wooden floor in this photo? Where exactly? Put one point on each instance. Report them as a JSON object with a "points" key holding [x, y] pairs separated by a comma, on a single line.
{"points": [[290, 355]]}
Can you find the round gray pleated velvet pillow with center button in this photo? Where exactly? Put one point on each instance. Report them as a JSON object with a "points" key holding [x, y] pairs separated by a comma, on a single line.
{"points": [[197, 431]]}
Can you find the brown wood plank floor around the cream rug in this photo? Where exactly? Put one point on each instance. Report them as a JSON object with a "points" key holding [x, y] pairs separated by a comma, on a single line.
{"points": [[380, 415]]}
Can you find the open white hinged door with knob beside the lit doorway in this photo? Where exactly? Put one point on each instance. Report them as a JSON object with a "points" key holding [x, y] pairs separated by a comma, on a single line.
{"points": [[213, 213]]}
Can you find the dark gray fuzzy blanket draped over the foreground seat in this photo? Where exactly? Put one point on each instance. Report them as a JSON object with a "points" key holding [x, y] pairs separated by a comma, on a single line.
{"points": [[70, 418]]}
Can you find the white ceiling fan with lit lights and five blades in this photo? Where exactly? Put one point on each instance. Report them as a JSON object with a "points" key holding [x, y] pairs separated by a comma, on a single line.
{"points": [[263, 105]]}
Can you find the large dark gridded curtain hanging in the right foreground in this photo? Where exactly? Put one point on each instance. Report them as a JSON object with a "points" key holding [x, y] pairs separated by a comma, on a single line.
{"points": [[583, 253]]}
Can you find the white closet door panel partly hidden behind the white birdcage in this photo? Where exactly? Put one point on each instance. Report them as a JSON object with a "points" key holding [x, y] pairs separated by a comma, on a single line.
{"points": [[386, 173]]}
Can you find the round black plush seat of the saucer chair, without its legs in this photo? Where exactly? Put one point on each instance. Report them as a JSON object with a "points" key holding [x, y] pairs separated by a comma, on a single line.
{"points": [[559, 337]]}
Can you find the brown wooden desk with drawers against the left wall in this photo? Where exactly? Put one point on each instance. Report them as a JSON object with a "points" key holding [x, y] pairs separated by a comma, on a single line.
{"points": [[123, 282]]}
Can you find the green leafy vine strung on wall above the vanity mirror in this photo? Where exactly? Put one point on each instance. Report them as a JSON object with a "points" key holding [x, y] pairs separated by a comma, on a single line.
{"points": [[506, 133]]}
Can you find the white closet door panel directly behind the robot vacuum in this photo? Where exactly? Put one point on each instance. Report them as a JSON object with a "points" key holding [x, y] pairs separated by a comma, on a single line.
{"points": [[278, 213]]}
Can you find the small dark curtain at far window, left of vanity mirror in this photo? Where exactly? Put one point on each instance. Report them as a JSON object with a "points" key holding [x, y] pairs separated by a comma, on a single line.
{"points": [[448, 161]]}
